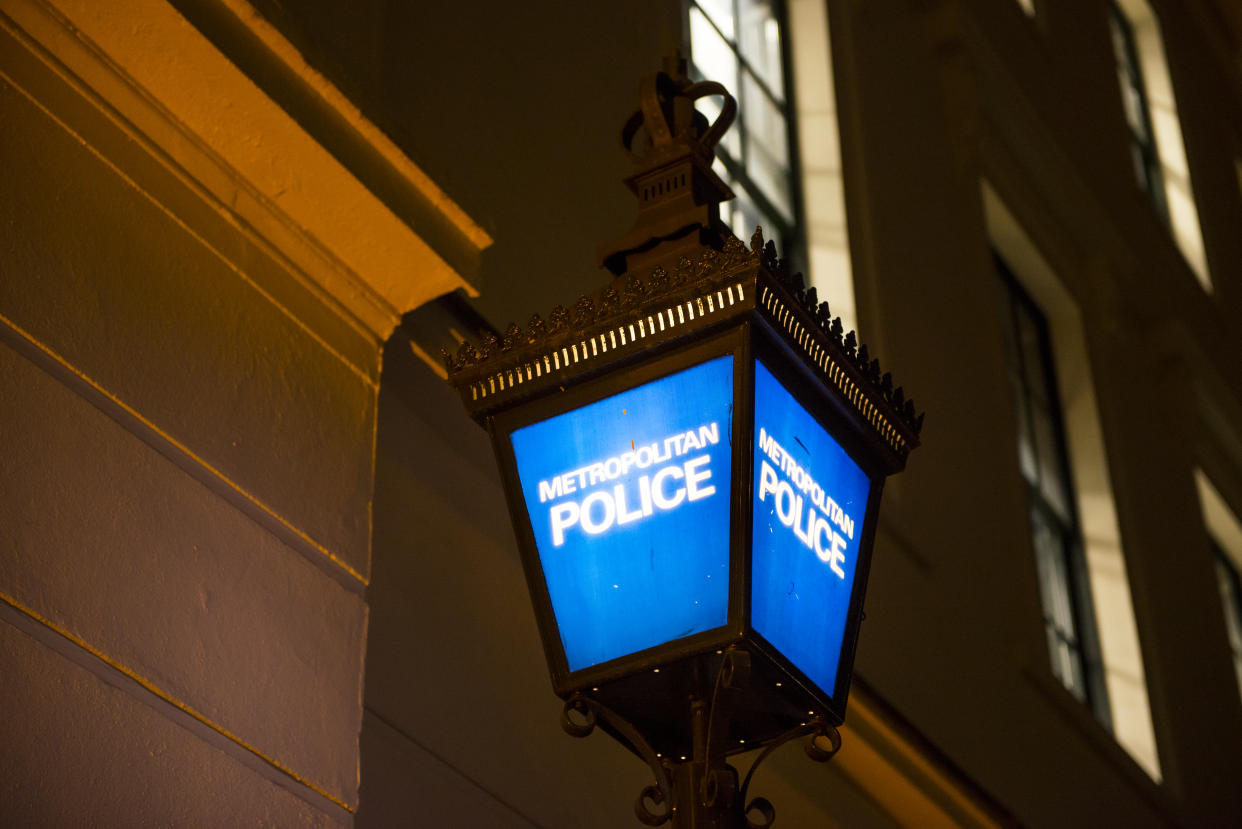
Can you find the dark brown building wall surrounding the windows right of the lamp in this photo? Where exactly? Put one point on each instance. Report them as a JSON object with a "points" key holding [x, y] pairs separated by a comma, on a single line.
{"points": [[957, 100]]}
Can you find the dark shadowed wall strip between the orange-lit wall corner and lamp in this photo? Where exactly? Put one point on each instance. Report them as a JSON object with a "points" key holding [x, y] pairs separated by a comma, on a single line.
{"points": [[461, 726]]}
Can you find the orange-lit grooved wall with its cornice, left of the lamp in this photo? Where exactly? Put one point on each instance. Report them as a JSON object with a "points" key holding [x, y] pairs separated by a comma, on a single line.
{"points": [[193, 300]]}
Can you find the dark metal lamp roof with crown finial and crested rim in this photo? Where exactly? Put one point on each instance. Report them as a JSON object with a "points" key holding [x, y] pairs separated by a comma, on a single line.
{"points": [[678, 273]]}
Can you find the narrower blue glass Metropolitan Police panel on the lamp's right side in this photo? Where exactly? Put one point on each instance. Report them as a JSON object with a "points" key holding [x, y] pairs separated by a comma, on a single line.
{"points": [[810, 500]]}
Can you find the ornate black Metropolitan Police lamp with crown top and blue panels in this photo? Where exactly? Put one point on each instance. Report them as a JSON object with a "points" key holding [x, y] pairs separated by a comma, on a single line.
{"points": [[694, 460]]}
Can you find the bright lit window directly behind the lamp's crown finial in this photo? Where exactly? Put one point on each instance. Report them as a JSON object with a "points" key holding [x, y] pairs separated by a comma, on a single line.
{"points": [[742, 45]]}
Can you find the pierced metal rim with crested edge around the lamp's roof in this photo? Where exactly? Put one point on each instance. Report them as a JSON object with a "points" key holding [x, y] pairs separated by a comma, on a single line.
{"points": [[635, 314]]}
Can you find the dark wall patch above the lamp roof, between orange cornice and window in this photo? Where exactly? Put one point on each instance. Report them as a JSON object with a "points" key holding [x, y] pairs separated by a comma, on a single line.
{"points": [[515, 110]]}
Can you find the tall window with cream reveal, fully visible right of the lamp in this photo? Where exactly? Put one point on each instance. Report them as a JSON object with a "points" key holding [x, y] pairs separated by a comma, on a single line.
{"points": [[1081, 564]]}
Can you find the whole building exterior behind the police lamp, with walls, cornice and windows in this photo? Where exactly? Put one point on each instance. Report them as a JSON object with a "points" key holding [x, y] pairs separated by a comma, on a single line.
{"points": [[255, 561]]}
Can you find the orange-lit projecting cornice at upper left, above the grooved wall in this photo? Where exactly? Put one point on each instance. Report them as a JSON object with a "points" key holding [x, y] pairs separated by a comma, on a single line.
{"points": [[176, 93]]}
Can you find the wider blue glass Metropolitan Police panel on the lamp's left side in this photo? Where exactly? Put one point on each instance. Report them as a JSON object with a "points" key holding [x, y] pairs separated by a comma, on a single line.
{"points": [[629, 502]]}
